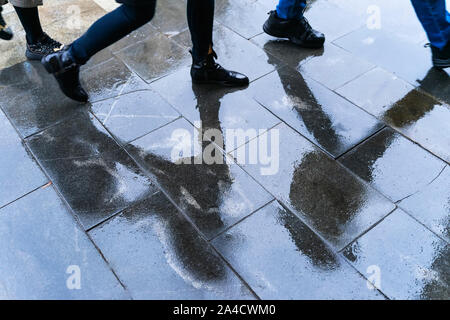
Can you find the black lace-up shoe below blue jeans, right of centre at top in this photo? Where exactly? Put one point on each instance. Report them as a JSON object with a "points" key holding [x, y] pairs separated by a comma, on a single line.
{"points": [[299, 31]]}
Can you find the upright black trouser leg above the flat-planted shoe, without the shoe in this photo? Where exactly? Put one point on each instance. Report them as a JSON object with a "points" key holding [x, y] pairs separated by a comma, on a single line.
{"points": [[200, 14]]}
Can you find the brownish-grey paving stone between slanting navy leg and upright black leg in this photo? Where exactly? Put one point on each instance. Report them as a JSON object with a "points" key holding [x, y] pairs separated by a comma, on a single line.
{"points": [[155, 57]]}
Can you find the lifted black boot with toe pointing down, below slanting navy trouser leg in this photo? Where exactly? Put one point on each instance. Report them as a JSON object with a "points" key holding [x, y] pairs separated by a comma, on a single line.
{"points": [[67, 73]]}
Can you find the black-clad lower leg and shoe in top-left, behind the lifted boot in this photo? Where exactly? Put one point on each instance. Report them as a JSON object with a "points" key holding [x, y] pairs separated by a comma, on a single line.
{"points": [[39, 43]]}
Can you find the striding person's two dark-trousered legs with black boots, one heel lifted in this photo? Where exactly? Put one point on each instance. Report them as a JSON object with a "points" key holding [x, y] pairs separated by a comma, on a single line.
{"points": [[132, 14]]}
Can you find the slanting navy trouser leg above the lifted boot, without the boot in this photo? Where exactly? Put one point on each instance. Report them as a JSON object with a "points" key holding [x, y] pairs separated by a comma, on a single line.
{"points": [[111, 28]]}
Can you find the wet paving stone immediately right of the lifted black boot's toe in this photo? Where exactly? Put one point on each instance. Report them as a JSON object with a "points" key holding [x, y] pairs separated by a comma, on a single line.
{"points": [[110, 79]]}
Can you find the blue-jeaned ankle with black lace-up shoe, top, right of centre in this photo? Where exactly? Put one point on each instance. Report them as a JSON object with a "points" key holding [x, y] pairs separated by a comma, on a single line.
{"points": [[287, 21]]}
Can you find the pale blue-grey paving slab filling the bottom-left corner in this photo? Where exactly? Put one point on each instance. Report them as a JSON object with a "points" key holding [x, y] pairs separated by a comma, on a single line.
{"points": [[43, 247]]}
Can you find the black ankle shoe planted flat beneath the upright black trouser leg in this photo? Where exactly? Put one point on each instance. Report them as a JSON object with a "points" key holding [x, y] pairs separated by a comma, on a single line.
{"points": [[208, 71]]}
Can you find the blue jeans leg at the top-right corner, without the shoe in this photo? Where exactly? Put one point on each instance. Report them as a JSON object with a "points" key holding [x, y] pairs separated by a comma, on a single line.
{"points": [[435, 20]]}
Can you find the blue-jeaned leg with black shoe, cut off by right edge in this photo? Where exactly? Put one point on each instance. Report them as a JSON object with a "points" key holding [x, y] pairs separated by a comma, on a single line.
{"points": [[435, 20]]}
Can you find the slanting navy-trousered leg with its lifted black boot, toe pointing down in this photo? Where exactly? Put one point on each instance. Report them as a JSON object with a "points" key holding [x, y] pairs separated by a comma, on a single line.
{"points": [[110, 28]]}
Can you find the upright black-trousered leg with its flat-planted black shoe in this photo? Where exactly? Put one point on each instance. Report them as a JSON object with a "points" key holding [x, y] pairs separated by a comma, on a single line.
{"points": [[200, 14]]}
